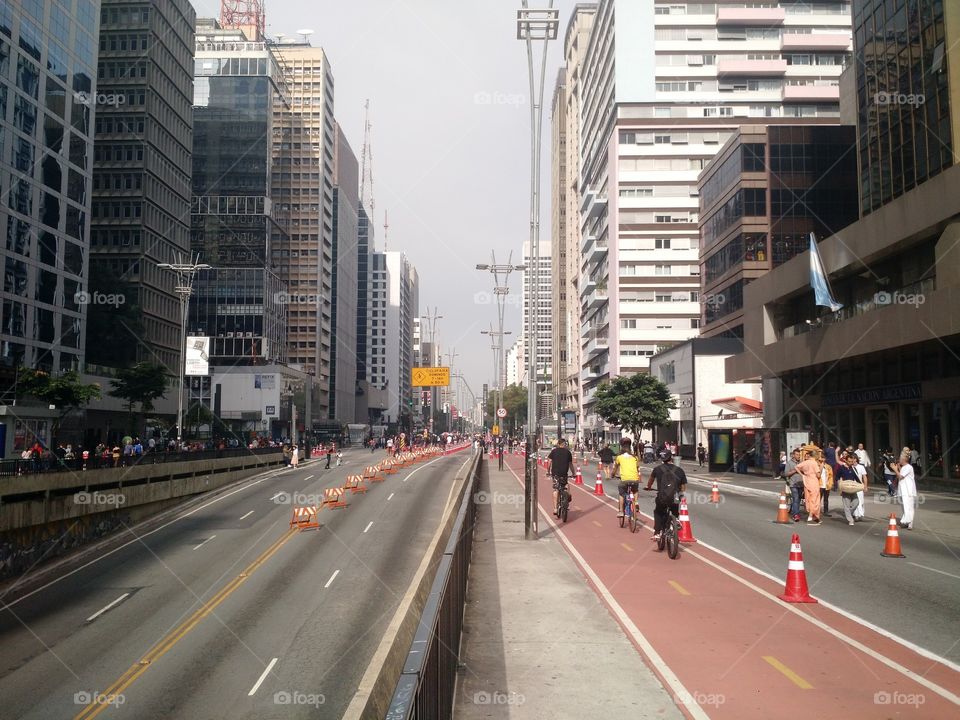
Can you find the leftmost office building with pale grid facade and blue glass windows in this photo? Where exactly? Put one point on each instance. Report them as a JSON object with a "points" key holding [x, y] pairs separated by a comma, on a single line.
{"points": [[48, 62]]}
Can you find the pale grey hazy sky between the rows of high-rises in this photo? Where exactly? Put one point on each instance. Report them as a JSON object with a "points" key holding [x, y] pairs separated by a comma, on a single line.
{"points": [[448, 90]]}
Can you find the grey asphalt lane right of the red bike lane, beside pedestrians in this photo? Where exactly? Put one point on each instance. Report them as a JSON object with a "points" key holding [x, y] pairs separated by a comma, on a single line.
{"points": [[914, 598]]}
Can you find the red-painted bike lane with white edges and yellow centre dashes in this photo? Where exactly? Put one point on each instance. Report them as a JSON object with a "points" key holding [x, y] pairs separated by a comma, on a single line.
{"points": [[722, 643]]}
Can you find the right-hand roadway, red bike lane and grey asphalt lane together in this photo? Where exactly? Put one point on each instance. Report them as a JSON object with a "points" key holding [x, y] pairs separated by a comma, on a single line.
{"points": [[713, 617]]}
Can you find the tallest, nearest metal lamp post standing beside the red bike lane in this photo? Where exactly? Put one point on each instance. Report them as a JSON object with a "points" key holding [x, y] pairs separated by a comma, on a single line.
{"points": [[541, 25]]}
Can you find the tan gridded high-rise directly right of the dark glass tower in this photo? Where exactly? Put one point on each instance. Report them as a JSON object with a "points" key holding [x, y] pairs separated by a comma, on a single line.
{"points": [[305, 191]]}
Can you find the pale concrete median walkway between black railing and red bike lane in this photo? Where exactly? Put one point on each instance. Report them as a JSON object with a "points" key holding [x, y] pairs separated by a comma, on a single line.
{"points": [[537, 641]]}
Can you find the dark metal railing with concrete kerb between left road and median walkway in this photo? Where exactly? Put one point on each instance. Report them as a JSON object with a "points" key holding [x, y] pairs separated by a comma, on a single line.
{"points": [[426, 685]]}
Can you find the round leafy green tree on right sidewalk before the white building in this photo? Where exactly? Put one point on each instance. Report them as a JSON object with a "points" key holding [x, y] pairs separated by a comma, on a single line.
{"points": [[635, 403]]}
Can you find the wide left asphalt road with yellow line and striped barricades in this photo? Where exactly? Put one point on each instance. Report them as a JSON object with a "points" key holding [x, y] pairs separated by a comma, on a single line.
{"points": [[226, 613]]}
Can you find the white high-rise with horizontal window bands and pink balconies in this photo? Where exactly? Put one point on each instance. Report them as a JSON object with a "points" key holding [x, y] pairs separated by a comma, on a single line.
{"points": [[665, 84]]}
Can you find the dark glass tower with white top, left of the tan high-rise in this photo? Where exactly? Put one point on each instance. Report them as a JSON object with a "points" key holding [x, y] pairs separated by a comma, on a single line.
{"points": [[235, 220]]}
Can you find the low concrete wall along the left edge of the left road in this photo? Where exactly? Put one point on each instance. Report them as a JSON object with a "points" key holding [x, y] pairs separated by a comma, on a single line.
{"points": [[46, 515]]}
